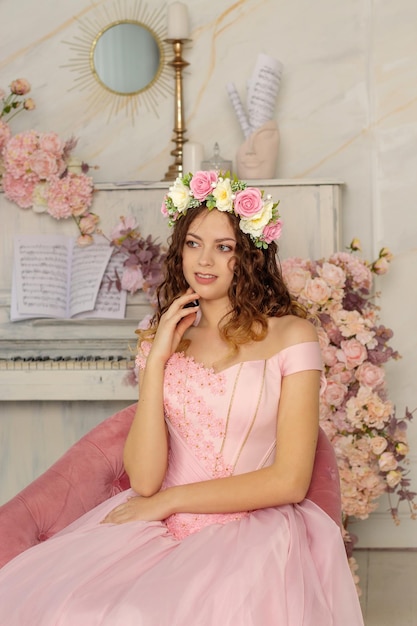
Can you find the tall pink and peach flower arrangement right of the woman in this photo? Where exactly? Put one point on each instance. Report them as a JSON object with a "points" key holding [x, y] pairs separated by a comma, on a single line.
{"points": [[356, 413]]}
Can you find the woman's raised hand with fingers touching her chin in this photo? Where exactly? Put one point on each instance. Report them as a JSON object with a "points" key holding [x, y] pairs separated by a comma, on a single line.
{"points": [[172, 326]]}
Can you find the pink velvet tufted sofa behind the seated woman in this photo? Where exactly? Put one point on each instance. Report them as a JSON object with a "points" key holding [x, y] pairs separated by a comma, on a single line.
{"points": [[92, 471]]}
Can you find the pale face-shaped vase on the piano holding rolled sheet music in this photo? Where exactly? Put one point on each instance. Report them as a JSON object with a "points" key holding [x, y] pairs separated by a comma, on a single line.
{"points": [[257, 156]]}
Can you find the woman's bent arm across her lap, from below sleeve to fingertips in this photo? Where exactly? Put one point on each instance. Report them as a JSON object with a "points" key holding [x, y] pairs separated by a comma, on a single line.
{"points": [[286, 481]]}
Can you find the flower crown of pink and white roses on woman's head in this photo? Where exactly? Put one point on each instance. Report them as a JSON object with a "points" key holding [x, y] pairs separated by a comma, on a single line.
{"points": [[259, 217]]}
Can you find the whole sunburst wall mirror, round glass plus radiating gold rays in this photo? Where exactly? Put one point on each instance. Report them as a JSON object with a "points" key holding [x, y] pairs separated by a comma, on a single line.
{"points": [[120, 57]]}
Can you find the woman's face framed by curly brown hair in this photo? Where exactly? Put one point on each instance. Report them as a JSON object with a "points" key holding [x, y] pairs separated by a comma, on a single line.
{"points": [[208, 256]]}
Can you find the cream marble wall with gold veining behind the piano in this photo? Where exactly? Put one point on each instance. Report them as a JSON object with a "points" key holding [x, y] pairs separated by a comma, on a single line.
{"points": [[346, 109]]}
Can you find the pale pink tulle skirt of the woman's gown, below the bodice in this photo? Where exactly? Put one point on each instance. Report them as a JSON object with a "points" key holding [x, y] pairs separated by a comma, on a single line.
{"points": [[283, 566]]}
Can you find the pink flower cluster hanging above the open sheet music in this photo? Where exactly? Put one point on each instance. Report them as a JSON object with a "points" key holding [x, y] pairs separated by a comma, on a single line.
{"points": [[39, 172]]}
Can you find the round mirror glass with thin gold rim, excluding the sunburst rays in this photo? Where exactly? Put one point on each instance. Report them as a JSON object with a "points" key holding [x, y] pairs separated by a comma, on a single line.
{"points": [[126, 57]]}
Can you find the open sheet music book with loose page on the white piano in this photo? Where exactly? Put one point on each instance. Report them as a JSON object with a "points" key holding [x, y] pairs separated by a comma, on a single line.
{"points": [[54, 277]]}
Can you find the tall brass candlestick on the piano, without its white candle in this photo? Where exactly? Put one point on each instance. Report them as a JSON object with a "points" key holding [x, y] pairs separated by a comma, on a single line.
{"points": [[178, 63]]}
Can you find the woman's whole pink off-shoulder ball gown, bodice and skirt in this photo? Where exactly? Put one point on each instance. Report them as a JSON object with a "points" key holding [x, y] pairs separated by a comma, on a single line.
{"points": [[279, 566]]}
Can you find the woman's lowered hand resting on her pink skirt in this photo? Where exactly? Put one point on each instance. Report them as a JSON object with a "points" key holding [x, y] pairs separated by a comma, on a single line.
{"points": [[138, 508]]}
